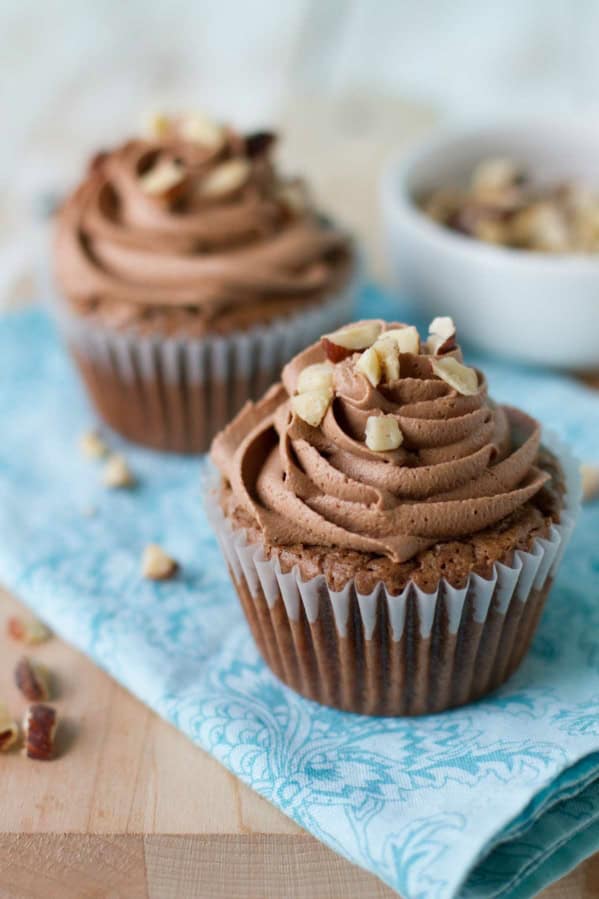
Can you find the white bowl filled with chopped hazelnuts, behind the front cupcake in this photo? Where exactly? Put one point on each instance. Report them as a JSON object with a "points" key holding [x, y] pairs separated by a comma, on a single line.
{"points": [[499, 227]]}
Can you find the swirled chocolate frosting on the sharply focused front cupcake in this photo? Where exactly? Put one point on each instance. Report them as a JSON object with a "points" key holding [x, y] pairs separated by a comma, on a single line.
{"points": [[464, 465]]}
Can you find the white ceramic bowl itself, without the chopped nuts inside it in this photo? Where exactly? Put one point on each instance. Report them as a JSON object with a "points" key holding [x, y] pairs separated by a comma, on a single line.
{"points": [[532, 306]]}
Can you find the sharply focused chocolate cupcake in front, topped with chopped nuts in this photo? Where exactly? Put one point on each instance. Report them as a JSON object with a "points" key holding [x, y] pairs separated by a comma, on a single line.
{"points": [[392, 533]]}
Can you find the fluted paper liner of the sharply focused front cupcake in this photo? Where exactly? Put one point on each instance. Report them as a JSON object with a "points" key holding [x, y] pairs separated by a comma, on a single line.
{"points": [[407, 654]]}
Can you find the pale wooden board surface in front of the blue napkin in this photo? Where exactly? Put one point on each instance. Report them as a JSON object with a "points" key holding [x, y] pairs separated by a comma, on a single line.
{"points": [[132, 809]]}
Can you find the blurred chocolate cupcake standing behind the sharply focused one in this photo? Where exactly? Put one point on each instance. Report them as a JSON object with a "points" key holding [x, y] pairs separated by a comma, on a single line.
{"points": [[189, 271]]}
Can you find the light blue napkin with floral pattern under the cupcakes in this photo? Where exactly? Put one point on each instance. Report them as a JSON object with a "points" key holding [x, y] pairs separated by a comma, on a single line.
{"points": [[495, 799]]}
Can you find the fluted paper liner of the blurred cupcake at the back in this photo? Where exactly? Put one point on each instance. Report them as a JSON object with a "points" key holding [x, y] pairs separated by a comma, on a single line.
{"points": [[176, 393]]}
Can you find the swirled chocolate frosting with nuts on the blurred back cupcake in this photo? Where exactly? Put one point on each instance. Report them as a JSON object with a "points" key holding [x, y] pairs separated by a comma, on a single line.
{"points": [[246, 250]]}
